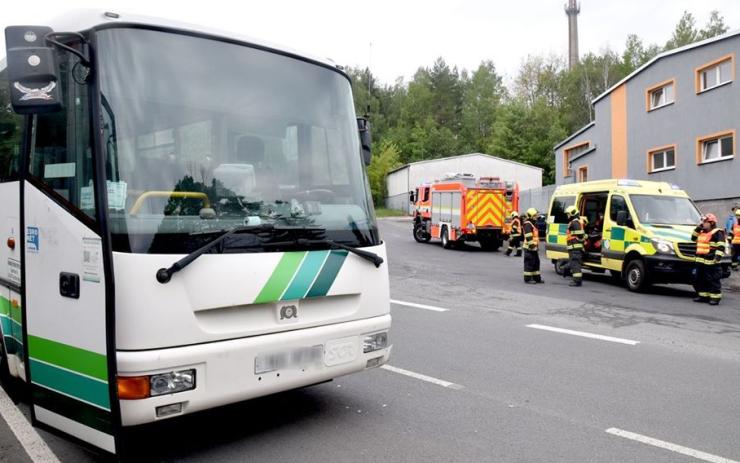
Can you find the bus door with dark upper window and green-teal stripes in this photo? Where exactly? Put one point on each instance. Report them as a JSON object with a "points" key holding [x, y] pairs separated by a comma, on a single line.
{"points": [[68, 323]]}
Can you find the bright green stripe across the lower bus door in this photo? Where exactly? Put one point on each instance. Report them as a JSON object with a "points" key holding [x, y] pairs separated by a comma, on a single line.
{"points": [[69, 357]]}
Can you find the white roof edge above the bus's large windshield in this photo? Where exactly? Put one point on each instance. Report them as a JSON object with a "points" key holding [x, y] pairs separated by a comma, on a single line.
{"points": [[78, 20]]}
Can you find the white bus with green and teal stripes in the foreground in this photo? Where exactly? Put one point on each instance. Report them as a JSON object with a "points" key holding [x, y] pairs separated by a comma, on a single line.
{"points": [[186, 223]]}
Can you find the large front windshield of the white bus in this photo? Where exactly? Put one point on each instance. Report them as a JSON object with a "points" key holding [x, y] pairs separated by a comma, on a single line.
{"points": [[204, 135]]}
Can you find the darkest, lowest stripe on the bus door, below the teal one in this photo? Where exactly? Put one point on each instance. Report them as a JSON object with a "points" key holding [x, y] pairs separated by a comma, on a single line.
{"points": [[68, 407]]}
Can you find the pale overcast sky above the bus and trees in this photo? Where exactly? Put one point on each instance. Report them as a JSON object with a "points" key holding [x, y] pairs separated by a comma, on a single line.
{"points": [[407, 34]]}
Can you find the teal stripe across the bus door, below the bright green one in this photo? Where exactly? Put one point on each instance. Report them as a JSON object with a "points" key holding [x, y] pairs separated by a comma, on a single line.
{"points": [[72, 384]]}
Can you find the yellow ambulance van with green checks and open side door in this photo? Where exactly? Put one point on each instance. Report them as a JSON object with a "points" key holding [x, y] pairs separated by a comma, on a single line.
{"points": [[640, 231]]}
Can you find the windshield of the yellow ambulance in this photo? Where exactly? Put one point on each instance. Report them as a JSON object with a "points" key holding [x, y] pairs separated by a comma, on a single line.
{"points": [[665, 210]]}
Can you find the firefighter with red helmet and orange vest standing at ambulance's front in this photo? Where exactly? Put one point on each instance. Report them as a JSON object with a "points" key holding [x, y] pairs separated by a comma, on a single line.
{"points": [[710, 246]]}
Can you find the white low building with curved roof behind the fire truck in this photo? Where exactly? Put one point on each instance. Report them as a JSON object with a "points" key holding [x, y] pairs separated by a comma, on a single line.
{"points": [[404, 179]]}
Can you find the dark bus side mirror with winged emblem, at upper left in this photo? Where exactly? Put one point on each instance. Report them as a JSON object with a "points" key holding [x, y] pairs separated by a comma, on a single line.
{"points": [[33, 71]]}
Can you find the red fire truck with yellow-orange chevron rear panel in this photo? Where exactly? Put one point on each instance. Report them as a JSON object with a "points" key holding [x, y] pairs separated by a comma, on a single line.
{"points": [[462, 208]]}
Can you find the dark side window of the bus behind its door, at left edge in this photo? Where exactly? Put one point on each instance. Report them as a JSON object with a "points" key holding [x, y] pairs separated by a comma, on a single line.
{"points": [[10, 133]]}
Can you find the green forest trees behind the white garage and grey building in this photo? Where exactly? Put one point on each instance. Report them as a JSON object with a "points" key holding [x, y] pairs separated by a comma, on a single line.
{"points": [[445, 111]]}
